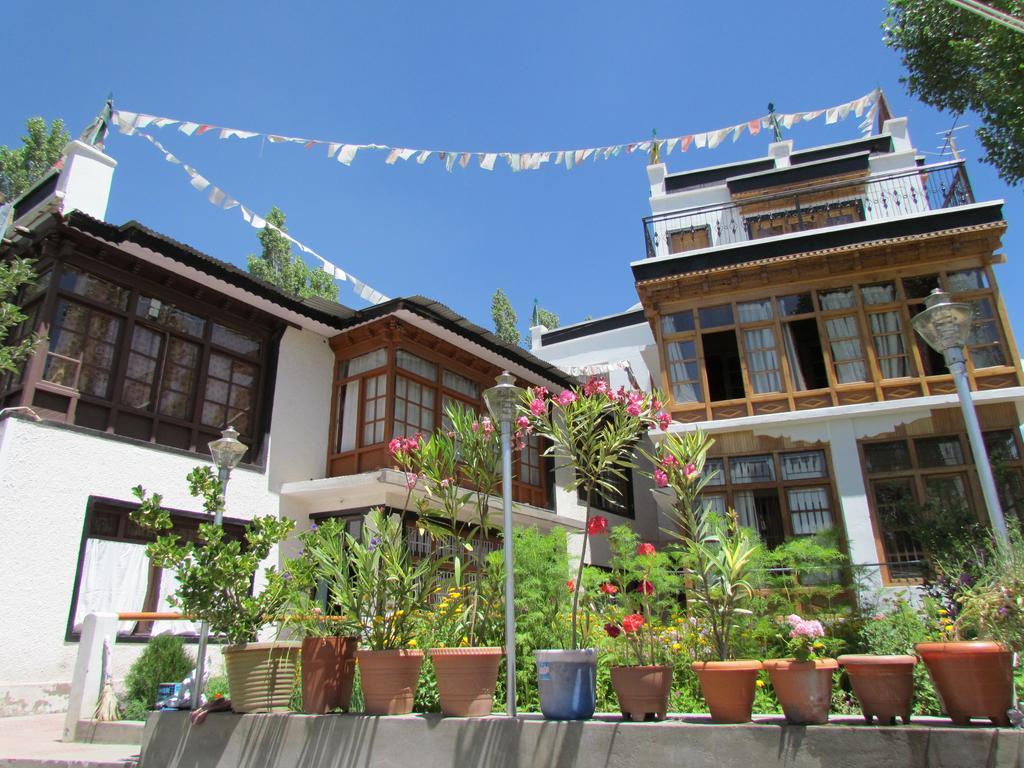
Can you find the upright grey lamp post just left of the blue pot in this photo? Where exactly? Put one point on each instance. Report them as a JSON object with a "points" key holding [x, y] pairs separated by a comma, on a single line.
{"points": [[501, 402]]}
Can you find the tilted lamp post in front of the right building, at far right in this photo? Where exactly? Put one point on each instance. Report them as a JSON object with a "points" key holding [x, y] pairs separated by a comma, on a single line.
{"points": [[947, 326]]}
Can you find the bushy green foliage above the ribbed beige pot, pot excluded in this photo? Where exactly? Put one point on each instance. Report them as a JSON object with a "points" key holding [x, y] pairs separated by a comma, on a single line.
{"points": [[215, 573]]}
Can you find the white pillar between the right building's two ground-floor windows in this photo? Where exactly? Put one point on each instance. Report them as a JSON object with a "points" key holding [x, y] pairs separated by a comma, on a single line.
{"points": [[854, 500]]}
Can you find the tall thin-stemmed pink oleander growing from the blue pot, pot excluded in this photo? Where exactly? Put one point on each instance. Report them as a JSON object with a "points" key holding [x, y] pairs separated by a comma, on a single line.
{"points": [[593, 432]]}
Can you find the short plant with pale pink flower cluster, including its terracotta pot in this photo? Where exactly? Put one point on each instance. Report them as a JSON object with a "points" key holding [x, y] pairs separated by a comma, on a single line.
{"points": [[803, 684]]}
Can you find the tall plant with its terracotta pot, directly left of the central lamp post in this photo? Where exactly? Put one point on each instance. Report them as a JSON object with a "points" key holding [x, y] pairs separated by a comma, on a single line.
{"points": [[459, 471]]}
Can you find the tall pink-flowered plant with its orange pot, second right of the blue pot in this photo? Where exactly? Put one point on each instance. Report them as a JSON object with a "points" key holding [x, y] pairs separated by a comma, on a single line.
{"points": [[718, 559]]}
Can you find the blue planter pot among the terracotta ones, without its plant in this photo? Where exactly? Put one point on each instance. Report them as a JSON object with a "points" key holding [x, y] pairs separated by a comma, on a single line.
{"points": [[567, 681]]}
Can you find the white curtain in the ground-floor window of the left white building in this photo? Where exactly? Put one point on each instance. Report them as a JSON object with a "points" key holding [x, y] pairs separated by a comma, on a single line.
{"points": [[114, 579]]}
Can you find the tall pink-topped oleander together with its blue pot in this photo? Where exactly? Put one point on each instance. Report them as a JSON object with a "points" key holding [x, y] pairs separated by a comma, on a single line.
{"points": [[592, 432]]}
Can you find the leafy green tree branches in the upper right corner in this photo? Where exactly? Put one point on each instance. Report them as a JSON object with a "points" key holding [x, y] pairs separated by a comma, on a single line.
{"points": [[959, 61]]}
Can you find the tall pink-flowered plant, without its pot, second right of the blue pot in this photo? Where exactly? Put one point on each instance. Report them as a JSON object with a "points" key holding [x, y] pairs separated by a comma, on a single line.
{"points": [[717, 554]]}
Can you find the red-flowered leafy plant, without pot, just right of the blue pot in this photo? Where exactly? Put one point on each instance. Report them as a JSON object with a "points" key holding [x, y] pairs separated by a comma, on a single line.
{"points": [[642, 590]]}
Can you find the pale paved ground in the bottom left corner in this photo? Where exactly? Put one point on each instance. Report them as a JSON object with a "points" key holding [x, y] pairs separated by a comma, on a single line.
{"points": [[35, 741]]}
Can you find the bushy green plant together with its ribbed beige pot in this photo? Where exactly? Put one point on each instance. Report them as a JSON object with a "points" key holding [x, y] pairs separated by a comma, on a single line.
{"points": [[216, 585]]}
